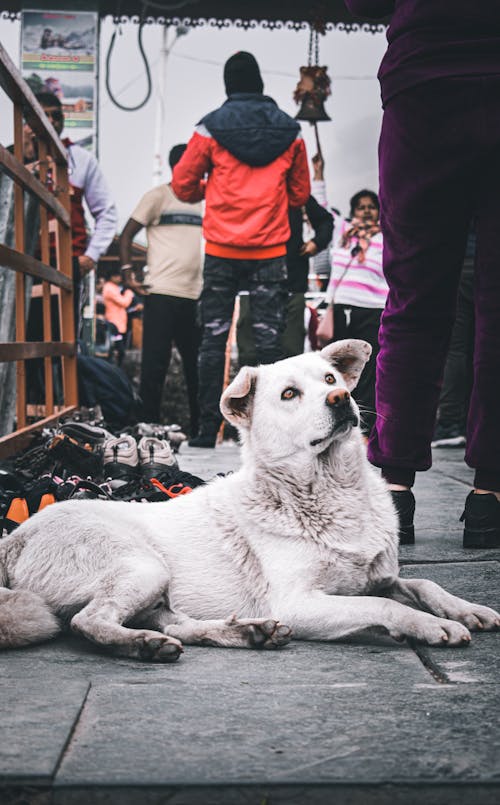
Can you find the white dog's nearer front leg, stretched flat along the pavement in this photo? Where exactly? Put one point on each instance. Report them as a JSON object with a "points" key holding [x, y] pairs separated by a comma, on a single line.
{"points": [[318, 616]]}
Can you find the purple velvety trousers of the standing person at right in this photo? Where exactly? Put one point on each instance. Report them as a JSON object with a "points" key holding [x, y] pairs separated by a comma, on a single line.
{"points": [[439, 157]]}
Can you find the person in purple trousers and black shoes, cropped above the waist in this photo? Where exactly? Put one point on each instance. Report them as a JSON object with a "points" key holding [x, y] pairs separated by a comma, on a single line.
{"points": [[439, 166]]}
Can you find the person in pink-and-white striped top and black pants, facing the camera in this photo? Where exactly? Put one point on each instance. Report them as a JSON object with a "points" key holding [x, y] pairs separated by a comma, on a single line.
{"points": [[357, 289]]}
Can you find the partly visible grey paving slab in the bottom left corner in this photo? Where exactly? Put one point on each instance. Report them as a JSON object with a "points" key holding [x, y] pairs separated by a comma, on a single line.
{"points": [[36, 718]]}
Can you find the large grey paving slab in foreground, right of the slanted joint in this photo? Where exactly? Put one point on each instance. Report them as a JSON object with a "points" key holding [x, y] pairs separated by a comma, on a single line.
{"points": [[174, 735]]}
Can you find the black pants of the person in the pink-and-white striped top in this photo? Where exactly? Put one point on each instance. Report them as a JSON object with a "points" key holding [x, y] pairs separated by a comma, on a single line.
{"points": [[361, 322]]}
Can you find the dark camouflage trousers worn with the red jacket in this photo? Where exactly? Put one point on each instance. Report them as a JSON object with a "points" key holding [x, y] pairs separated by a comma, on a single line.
{"points": [[266, 282]]}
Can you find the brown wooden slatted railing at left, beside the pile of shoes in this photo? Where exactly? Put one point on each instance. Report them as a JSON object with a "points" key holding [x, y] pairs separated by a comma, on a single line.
{"points": [[51, 157]]}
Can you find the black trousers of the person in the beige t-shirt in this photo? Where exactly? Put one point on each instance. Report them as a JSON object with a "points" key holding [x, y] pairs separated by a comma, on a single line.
{"points": [[168, 320]]}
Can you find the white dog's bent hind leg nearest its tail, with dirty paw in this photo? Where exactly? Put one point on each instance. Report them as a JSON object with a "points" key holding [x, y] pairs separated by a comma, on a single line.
{"points": [[122, 596]]}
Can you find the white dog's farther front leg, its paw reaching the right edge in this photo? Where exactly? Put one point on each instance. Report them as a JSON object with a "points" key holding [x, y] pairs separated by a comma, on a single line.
{"points": [[426, 595]]}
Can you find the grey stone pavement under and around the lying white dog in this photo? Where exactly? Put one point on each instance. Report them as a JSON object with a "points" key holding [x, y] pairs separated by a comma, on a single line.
{"points": [[361, 722]]}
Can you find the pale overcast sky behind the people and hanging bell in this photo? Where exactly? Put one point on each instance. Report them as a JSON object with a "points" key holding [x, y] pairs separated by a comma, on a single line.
{"points": [[194, 87]]}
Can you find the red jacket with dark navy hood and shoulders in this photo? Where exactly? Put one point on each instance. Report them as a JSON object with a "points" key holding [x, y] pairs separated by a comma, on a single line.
{"points": [[254, 171]]}
